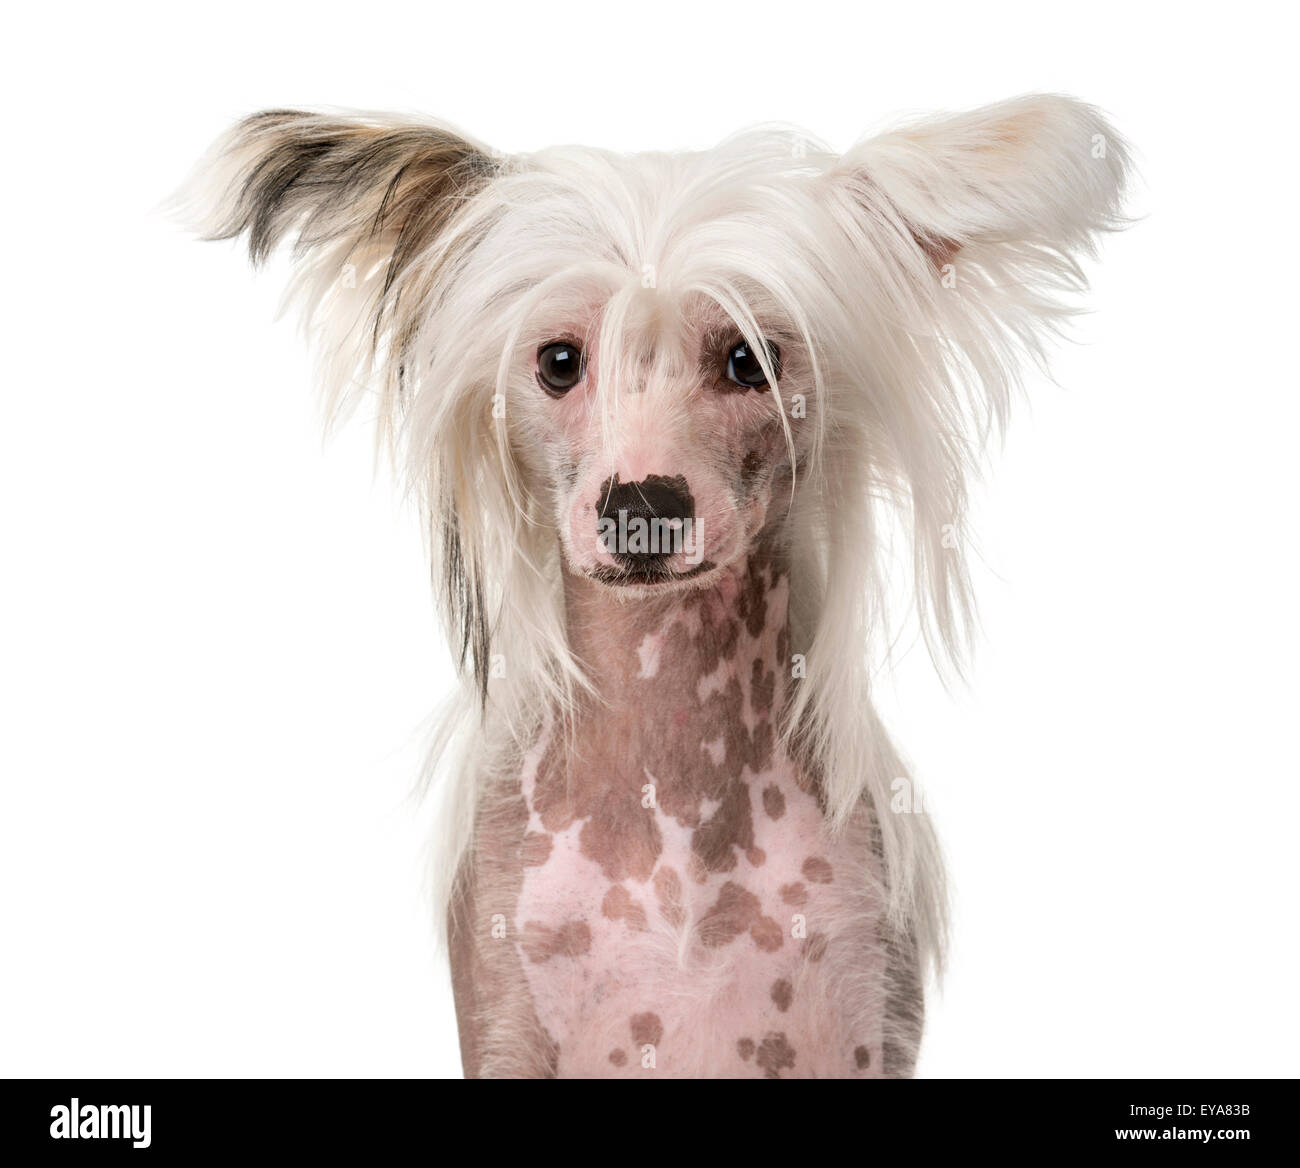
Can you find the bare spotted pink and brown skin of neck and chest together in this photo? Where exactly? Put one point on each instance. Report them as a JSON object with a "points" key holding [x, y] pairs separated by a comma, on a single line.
{"points": [[668, 898]]}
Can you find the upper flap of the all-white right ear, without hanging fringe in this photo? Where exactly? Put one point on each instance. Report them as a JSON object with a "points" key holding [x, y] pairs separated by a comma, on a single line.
{"points": [[1038, 171]]}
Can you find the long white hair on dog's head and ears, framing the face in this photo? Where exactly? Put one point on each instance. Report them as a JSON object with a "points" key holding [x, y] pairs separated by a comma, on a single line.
{"points": [[422, 261]]}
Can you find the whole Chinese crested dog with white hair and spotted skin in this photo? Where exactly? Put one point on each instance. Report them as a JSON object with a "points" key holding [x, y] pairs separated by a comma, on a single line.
{"points": [[662, 412]]}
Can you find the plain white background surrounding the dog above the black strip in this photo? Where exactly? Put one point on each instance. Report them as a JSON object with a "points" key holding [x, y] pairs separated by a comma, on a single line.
{"points": [[219, 648]]}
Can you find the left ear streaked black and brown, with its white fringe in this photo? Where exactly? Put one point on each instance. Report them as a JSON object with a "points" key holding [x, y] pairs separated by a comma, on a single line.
{"points": [[361, 201]]}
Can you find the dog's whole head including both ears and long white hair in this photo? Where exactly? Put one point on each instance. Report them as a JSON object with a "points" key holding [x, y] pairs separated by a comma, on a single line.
{"points": [[632, 369]]}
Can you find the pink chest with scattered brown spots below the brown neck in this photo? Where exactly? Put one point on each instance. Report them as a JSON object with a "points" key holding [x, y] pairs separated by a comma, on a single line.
{"points": [[668, 968]]}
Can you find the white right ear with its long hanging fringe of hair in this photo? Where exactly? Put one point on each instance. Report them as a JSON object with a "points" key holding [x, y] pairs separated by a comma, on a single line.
{"points": [[968, 232]]}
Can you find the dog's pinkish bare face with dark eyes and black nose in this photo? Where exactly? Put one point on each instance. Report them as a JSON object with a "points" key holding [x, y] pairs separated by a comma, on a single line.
{"points": [[658, 436]]}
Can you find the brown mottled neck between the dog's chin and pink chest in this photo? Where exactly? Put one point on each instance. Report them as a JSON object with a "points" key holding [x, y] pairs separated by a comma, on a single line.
{"points": [[687, 711]]}
